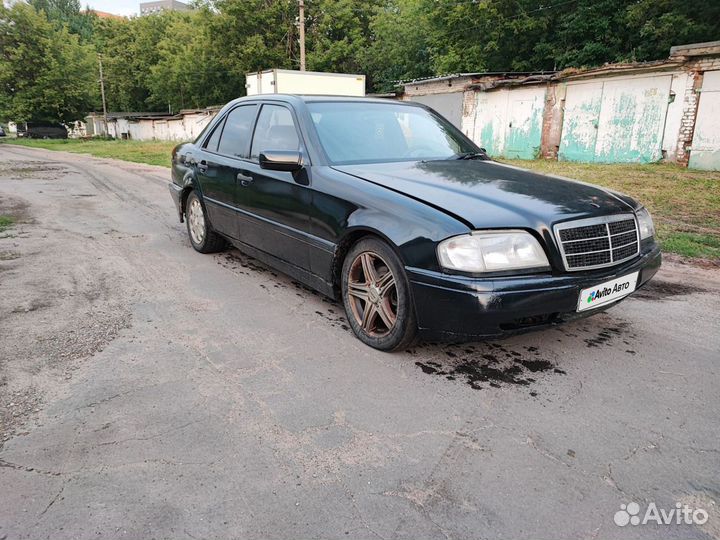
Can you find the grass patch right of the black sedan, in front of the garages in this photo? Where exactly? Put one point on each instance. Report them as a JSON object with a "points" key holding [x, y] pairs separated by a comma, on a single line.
{"points": [[684, 203]]}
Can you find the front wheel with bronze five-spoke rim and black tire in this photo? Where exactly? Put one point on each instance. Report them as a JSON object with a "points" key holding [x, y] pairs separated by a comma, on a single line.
{"points": [[375, 291]]}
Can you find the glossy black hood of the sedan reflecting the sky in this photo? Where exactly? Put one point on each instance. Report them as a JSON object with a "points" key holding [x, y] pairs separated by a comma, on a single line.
{"points": [[487, 194]]}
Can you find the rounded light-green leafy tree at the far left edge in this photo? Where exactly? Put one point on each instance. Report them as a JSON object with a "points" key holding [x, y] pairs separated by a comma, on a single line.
{"points": [[45, 73]]}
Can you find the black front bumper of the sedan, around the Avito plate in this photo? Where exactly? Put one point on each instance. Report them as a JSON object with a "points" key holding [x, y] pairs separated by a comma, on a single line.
{"points": [[458, 307]]}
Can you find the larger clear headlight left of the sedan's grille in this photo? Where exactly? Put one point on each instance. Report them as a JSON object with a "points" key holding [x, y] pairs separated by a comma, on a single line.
{"points": [[491, 252]]}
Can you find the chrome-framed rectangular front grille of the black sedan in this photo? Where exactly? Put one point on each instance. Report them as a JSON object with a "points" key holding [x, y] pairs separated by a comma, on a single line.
{"points": [[597, 242]]}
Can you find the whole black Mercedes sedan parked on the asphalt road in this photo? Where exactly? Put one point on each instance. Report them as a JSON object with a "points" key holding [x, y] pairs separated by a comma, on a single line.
{"points": [[388, 207]]}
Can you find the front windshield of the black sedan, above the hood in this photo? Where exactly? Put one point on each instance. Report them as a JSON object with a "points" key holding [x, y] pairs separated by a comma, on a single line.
{"points": [[353, 132]]}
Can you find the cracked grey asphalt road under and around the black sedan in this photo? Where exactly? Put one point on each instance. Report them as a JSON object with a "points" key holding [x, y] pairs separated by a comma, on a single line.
{"points": [[148, 391]]}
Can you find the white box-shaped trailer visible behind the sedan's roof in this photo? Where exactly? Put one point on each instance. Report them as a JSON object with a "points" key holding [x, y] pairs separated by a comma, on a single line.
{"points": [[286, 81]]}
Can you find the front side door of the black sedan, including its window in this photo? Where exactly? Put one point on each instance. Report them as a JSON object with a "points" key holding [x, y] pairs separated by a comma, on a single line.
{"points": [[274, 206]]}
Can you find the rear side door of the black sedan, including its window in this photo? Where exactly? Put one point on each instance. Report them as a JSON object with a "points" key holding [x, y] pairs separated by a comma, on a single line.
{"points": [[223, 150]]}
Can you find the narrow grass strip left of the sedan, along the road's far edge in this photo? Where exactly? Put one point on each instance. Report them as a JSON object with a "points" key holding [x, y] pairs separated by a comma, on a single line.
{"points": [[150, 152]]}
